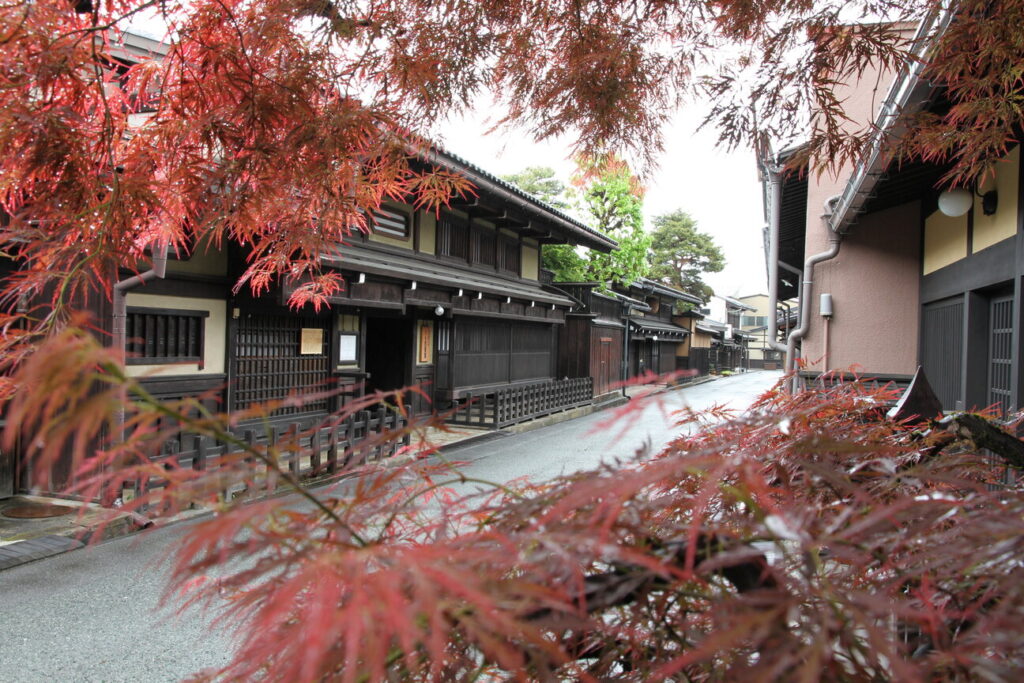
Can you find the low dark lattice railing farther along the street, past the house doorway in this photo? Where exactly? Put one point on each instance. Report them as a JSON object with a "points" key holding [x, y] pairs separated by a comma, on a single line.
{"points": [[507, 406]]}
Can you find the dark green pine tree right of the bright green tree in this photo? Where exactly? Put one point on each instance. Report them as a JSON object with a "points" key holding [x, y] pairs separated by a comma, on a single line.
{"points": [[681, 254]]}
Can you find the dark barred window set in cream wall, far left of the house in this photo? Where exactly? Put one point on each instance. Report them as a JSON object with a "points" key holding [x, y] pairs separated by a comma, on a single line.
{"points": [[157, 336]]}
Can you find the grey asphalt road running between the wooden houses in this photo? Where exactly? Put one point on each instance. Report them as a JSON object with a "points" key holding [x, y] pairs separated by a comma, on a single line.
{"points": [[96, 615]]}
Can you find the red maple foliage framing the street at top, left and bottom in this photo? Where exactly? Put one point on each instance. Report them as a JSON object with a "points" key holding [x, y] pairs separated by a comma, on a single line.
{"points": [[812, 539]]}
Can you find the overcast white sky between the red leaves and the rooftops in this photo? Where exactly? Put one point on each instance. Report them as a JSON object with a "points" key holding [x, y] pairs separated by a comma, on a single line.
{"points": [[719, 190]]}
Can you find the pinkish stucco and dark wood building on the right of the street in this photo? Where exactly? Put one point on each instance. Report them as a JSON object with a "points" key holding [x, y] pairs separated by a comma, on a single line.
{"points": [[891, 277]]}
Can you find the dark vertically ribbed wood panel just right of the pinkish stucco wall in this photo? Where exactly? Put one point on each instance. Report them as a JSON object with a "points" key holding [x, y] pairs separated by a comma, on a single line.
{"points": [[943, 349]]}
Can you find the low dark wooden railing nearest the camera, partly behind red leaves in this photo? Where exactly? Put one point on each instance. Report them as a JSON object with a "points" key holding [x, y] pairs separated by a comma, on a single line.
{"points": [[310, 448]]}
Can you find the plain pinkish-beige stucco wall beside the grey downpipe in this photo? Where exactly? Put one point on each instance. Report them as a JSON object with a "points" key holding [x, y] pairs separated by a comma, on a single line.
{"points": [[875, 283]]}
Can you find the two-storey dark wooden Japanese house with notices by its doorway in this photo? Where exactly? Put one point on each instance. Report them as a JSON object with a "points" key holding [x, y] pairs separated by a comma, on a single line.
{"points": [[451, 303]]}
